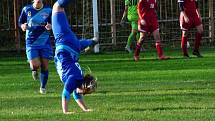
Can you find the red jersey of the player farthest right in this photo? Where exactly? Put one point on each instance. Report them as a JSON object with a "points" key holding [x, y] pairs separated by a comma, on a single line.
{"points": [[189, 5]]}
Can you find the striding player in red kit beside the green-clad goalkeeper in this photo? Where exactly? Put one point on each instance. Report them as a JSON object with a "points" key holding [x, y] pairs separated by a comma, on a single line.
{"points": [[148, 23]]}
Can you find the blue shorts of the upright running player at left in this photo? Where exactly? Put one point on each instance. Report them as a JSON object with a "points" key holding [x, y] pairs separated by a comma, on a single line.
{"points": [[46, 53]]}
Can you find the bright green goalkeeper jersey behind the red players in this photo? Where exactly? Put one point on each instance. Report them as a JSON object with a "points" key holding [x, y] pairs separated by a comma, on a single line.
{"points": [[132, 10]]}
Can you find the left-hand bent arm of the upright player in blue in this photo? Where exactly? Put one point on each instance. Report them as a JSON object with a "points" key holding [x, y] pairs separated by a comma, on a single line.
{"points": [[22, 22]]}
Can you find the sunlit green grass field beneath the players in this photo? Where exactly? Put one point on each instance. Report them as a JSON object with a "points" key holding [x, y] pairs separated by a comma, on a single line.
{"points": [[149, 90]]}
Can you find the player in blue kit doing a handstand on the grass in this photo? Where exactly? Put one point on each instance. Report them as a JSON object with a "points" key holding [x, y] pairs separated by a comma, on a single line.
{"points": [[67, 54]]}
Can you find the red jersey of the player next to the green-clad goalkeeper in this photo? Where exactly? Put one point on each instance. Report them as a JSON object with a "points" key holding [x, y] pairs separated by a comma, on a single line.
{"points": [[147, 8]]}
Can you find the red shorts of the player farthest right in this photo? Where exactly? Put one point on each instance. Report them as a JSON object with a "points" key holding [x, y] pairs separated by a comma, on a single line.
{"points": [[194, 21]]}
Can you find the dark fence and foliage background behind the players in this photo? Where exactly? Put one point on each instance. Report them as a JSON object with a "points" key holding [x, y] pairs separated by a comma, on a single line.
{"points": [[112, 35]]}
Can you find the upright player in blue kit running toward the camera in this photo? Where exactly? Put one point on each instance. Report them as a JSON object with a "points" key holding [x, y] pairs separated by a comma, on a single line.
{"points": [[35, 20]]}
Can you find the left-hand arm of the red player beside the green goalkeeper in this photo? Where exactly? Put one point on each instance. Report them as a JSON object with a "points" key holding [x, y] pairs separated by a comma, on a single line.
{"points": [[141, 12]]}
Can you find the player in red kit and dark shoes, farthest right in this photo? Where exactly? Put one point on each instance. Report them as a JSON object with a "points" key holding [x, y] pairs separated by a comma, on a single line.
{"points": [[190, 18]]}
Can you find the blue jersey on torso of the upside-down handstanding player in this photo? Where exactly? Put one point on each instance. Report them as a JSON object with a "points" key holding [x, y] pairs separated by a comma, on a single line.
{"points": [[69, 70]]}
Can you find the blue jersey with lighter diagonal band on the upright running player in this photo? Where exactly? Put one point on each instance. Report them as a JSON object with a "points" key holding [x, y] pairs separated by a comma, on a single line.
{"points": [[37, 36]]}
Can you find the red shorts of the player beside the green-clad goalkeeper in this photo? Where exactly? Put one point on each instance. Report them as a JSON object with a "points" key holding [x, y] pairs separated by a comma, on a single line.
{"points": [[151, 25]]}
